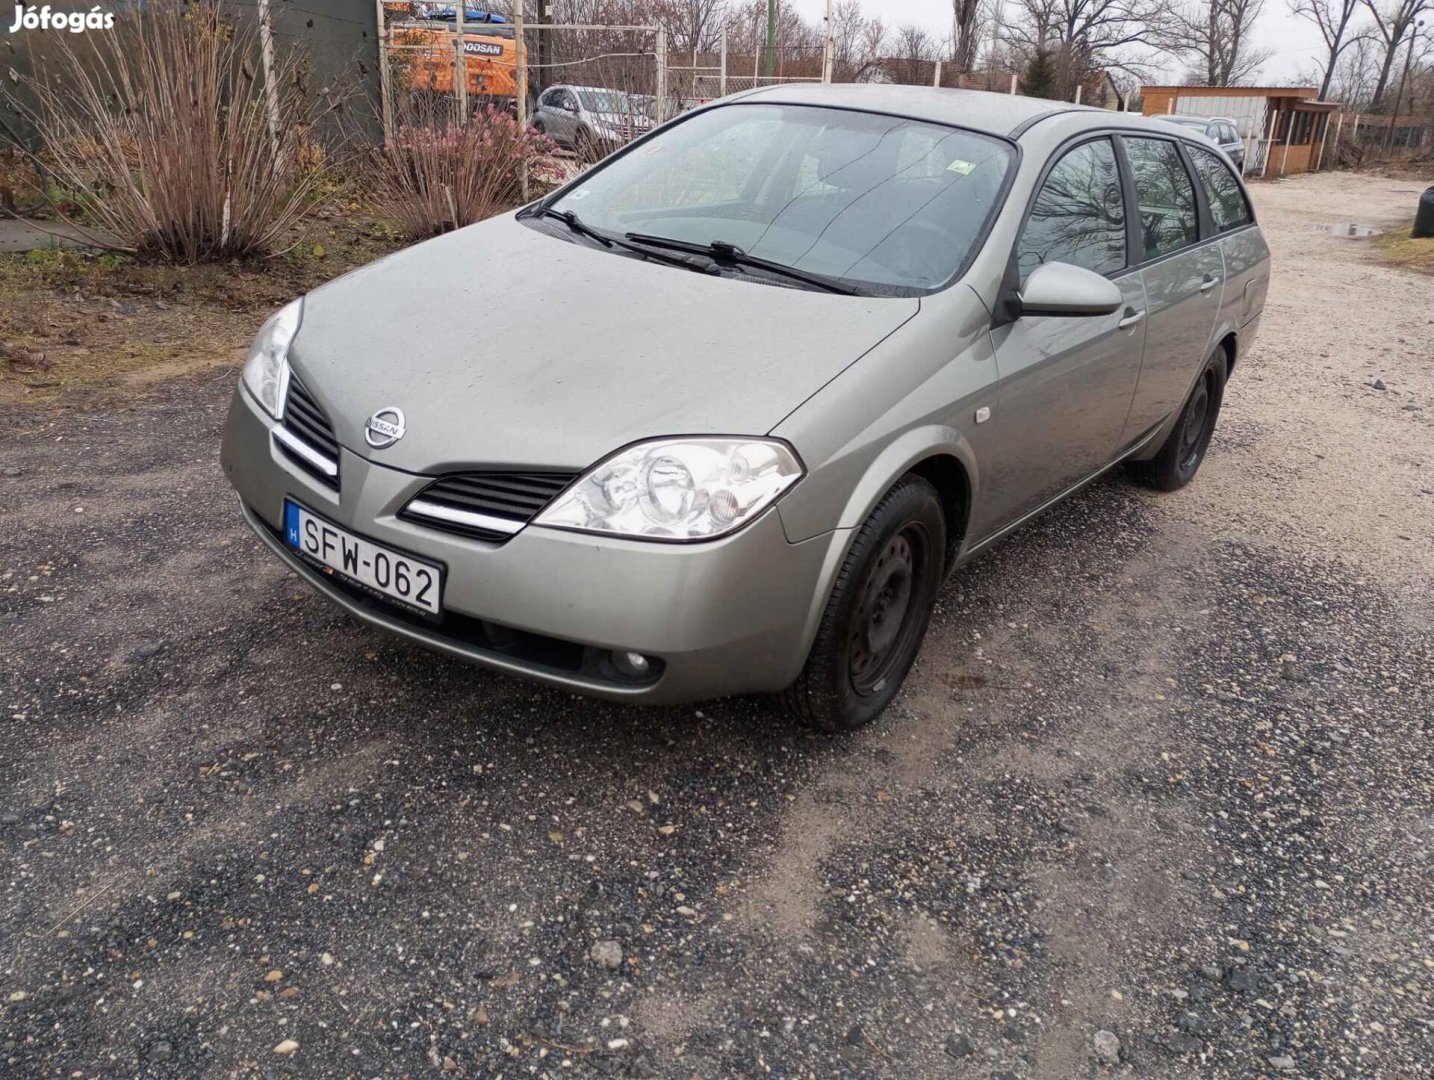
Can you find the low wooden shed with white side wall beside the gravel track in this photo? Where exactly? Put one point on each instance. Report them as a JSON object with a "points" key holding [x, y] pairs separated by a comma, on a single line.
{"points": [[1284, 127]]}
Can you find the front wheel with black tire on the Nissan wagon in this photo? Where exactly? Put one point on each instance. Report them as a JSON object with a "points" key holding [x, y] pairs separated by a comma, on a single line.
{"points": [[878, 613]]}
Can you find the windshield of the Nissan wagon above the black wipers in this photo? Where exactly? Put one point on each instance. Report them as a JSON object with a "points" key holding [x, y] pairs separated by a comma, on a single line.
{"points": [[880, 203]]}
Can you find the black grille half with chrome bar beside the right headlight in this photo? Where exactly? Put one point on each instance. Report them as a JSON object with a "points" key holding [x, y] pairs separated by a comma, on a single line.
{"points": [[488, 506]]}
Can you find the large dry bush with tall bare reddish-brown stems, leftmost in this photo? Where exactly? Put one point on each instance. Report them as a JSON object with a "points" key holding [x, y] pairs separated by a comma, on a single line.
{"points": [[164, 131]]}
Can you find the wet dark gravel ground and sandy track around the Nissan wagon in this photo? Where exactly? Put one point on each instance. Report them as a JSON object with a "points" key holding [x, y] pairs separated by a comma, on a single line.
{"points": [[1155, 804]]}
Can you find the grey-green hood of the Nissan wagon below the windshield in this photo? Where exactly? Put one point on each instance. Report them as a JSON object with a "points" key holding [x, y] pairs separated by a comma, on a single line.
{"points": [[507, 346]]}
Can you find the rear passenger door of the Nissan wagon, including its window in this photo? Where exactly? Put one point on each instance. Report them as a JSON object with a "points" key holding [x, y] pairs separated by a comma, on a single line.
{"points": [[1182, 270]]}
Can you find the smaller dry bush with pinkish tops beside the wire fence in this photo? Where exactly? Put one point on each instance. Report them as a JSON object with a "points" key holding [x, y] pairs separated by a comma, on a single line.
{"points": [[441, 174]]}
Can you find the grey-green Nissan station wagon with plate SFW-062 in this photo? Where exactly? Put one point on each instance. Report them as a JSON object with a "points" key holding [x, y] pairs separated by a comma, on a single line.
{"points": [[752, 388]]}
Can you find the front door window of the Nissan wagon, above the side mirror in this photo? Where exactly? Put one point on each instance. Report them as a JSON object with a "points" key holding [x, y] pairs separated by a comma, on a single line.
{"points": [[1079, 216]]}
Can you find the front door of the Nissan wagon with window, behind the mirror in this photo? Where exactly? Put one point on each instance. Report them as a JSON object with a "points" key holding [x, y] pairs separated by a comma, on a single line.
{"points": [[1066, 384]]}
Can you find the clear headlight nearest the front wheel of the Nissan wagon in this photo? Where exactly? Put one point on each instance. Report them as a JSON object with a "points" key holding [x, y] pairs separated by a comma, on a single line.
{"points": [[678, 490]]}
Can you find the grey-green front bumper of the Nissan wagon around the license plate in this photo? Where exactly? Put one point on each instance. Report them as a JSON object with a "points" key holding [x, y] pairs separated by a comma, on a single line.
{"points": [[725, 617]]}
